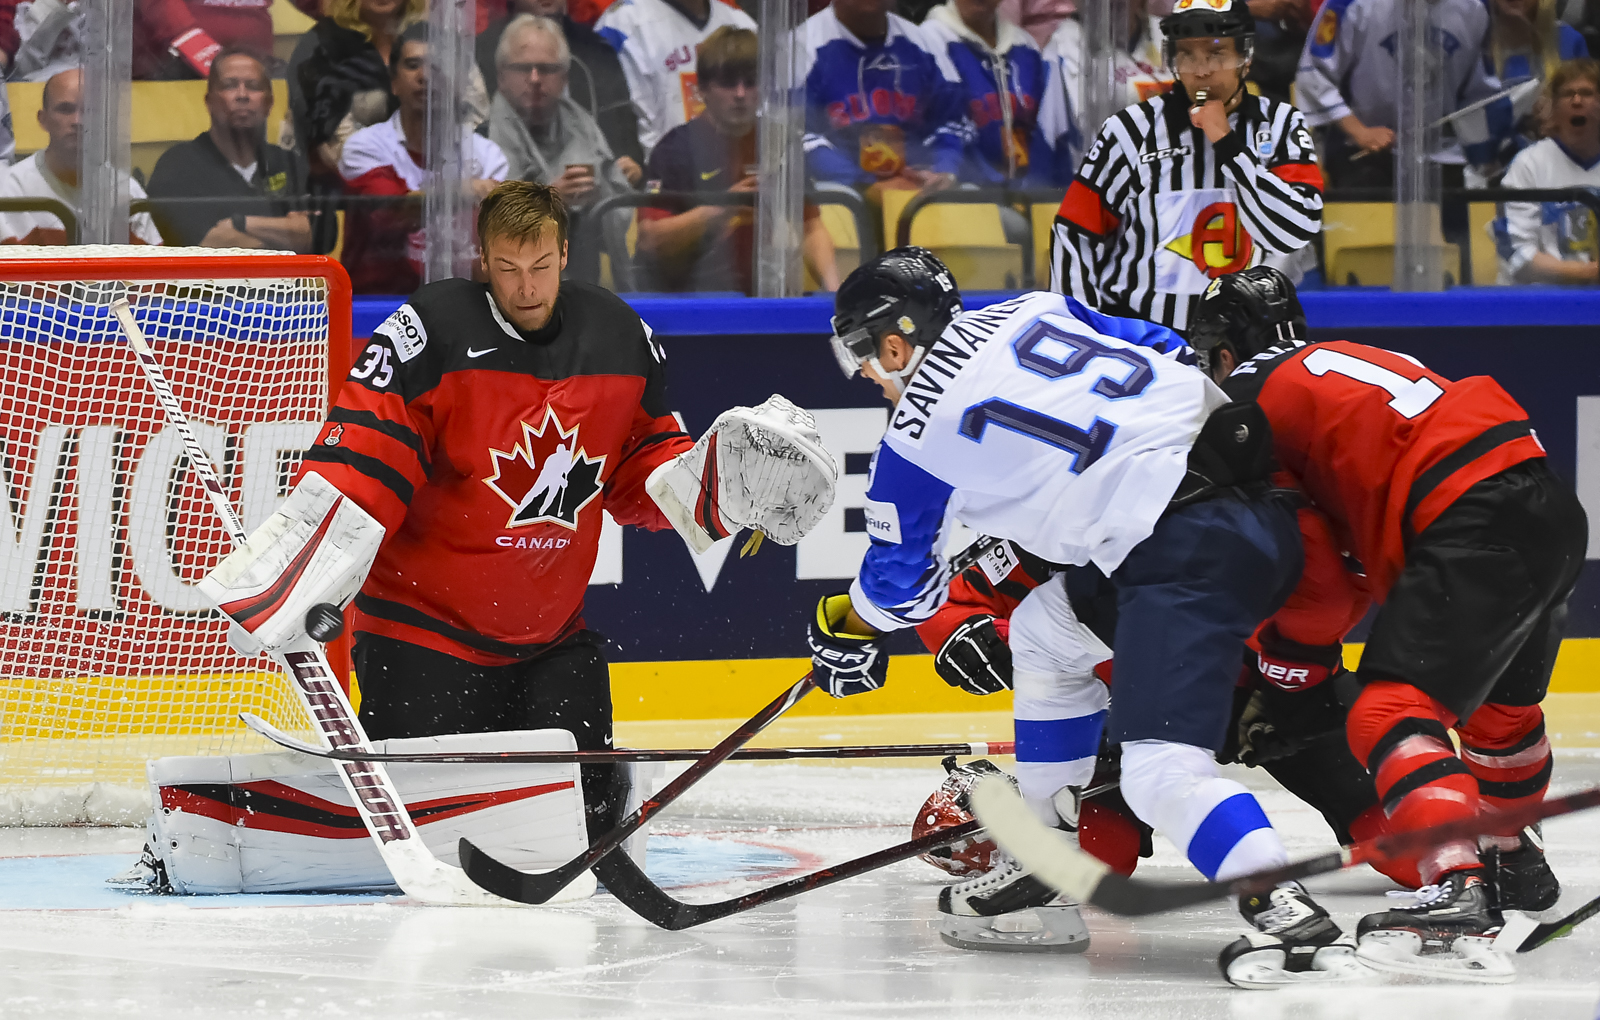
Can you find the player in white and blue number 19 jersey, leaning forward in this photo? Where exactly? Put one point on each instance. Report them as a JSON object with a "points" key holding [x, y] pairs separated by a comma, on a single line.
{"points": [[1039, 421]]}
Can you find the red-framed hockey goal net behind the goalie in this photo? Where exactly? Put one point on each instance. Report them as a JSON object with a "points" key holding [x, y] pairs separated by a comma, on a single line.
{"points": [[108, 653]]}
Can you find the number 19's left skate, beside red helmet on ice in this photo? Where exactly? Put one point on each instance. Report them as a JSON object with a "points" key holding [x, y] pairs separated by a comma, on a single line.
{"points": [[1012, 912]]}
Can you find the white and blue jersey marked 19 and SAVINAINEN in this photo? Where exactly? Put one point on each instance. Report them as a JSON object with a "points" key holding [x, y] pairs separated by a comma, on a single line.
{"points": [[1038, 421]]}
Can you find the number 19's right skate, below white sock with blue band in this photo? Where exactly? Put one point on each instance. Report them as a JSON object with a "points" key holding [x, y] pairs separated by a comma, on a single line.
{"points": [[1295, 942]]}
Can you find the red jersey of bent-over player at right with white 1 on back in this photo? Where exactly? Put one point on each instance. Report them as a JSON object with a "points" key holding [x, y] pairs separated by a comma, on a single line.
{"points": [[1378, 442]]}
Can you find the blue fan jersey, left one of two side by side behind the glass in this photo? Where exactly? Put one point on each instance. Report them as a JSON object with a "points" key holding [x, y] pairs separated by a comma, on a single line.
{"points": [[871, 111]]}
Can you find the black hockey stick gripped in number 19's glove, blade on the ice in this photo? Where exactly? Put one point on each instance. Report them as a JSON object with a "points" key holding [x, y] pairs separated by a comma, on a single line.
{"points": [[524, 888]]}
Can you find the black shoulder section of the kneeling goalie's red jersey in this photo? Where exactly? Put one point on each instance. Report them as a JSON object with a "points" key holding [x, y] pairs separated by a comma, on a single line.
{"points": [[454, 327]]}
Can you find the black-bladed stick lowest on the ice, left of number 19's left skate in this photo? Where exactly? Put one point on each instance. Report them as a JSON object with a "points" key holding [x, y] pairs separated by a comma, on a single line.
{"points": [[634, 890]]}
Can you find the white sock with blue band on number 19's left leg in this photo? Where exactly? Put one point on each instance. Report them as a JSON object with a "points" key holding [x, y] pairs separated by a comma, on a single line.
{"points": [[1060, 706]]}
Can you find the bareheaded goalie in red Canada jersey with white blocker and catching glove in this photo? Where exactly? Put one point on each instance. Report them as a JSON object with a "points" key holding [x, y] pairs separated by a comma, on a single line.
{"points": [[457, 495]]}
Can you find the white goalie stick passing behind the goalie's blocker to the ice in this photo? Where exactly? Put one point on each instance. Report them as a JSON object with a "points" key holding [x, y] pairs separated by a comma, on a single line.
{"points": [[414, 867]]}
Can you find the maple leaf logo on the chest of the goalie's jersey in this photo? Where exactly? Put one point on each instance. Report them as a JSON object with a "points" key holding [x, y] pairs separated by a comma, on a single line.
{"points": [[548, 477]]}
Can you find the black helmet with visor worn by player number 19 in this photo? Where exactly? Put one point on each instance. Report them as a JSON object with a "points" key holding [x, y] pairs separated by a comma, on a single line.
{"points": [[908, 292]]}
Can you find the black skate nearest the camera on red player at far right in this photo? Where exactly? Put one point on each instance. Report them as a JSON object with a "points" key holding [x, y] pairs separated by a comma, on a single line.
{"points": [[1447, 933]]}
